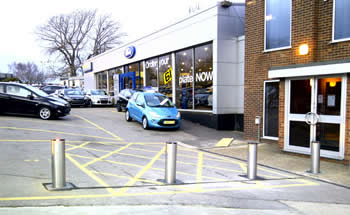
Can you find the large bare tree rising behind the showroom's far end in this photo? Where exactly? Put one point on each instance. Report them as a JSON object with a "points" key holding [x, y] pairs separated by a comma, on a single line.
{"points": [[76, 36]]}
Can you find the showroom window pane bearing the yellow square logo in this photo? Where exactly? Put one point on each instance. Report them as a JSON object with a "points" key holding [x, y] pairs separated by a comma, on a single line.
{"points": [[165, 76]]}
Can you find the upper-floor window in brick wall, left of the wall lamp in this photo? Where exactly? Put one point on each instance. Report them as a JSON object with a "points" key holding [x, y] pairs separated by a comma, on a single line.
{"points": [[277, 24]]}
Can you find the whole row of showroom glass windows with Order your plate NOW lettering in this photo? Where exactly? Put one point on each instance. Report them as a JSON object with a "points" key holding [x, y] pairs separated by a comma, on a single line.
{"points": [[193, 77]]}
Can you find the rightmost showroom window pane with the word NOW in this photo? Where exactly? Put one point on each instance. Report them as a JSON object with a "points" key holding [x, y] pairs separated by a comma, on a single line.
{"points": [[203, 78]]}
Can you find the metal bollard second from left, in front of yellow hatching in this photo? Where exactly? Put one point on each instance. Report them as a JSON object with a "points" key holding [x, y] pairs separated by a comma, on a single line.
{"points": [[170, 162]]}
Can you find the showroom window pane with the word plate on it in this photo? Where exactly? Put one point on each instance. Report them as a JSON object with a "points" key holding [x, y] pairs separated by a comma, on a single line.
{"points": [[184, 79]]}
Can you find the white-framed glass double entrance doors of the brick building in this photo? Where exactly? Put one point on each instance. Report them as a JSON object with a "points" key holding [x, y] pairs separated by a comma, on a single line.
{"points": [[322, 99]]}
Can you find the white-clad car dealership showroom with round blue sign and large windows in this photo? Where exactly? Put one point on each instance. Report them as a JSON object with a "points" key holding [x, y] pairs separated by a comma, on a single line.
{"points": [[198, 62]]}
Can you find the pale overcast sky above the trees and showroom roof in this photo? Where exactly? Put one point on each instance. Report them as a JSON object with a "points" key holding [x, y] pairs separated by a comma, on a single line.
{"points": [[19, 18]]}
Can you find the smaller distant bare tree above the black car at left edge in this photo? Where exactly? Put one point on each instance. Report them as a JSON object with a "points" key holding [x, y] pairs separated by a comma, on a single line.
{"points": [[27, 72]]}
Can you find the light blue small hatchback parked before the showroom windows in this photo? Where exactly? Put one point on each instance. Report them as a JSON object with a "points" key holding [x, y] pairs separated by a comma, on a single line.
{"points": [[153, 110]]}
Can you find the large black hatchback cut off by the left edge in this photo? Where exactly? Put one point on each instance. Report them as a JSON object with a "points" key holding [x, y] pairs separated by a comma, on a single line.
{"points": [[27, 100]]}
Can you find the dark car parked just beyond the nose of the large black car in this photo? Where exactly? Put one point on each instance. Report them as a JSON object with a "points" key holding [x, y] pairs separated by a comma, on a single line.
{"points": [[77, 97]]}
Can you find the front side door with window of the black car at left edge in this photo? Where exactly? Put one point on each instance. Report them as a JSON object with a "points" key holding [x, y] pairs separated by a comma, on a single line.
{"points": [[21, 100]]}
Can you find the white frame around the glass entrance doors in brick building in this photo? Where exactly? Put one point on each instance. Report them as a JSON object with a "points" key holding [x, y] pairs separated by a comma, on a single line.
{"points": [[303, 150]]}
